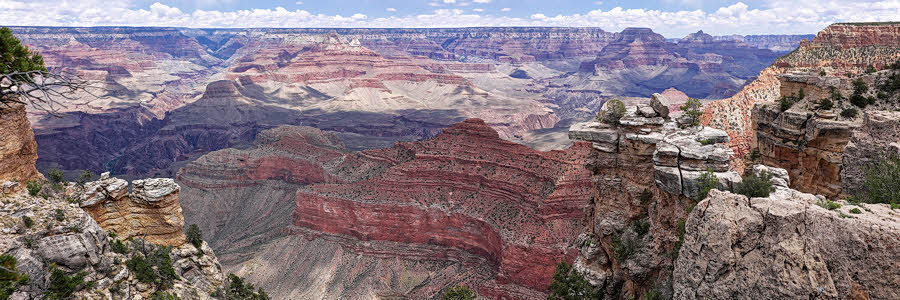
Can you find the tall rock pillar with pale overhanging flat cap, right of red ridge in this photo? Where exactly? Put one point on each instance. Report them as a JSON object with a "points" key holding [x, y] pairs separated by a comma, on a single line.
{"points": [[646, 173]]}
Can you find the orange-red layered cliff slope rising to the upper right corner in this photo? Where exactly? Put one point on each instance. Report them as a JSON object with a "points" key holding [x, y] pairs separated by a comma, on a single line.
{"points": [[840, 61]]}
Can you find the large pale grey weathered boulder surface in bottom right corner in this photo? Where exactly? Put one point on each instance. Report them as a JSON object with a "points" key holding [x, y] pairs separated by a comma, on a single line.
{"points": [[786, 247]]}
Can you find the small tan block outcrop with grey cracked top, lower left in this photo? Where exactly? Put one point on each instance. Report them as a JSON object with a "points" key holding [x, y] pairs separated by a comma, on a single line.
{"points": [[150, 211]]}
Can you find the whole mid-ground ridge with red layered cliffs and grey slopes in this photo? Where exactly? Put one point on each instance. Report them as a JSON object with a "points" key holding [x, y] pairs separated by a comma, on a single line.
{"points": [[462, 207]]}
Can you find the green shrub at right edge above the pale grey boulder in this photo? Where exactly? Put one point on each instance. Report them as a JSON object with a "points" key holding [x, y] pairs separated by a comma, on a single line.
{"points": [[881, 184]]}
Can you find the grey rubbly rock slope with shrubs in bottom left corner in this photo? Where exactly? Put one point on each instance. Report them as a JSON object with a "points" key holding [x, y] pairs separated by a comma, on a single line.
{"points": [[59, 234]]}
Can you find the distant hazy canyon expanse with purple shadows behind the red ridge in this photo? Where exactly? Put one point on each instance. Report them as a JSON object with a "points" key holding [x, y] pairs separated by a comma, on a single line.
{"points": [[373, 87]]}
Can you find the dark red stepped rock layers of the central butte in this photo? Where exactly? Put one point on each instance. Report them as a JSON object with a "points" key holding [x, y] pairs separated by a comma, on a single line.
{"points": [[530, 202]]}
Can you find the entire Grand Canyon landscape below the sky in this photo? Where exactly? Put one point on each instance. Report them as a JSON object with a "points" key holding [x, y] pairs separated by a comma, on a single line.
{"points": [[415, 163]]}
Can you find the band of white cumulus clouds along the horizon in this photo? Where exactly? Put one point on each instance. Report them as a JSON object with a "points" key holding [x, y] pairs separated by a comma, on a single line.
{"points": [[772, 17]]}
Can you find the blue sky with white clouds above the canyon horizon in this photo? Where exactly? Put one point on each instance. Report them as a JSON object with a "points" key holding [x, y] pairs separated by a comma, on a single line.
{"points": [[672, 18]]}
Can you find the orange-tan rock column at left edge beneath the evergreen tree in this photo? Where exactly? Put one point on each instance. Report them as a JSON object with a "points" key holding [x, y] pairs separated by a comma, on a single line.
{"points": [[18, 150]]}
